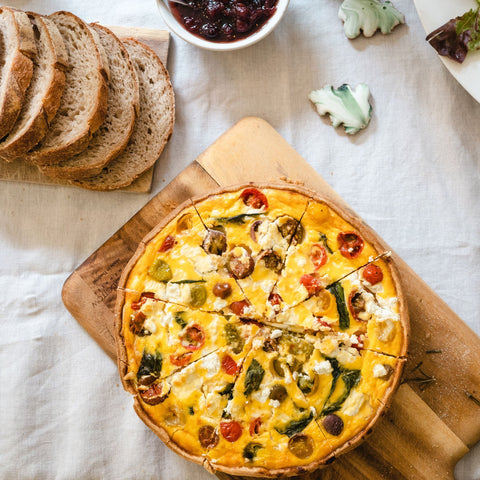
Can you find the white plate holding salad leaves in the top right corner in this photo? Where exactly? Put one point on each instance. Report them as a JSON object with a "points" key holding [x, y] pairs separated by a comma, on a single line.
{"points": [[433, 14]]}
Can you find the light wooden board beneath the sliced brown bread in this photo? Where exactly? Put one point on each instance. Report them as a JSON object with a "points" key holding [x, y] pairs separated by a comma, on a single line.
{"points": [[21, 171]]}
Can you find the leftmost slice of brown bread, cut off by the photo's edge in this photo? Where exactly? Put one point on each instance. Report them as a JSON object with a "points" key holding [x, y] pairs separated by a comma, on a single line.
{"points": [[17, 49]]}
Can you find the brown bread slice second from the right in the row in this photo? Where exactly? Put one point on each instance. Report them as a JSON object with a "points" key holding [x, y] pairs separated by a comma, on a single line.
{"points": [[123, 104]]}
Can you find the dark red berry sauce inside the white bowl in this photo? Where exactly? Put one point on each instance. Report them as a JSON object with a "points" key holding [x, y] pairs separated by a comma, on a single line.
{"points": [[223, 20]]}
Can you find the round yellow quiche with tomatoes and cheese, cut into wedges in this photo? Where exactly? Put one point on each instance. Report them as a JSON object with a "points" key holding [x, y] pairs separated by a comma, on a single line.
{"points": [[261, 330]]}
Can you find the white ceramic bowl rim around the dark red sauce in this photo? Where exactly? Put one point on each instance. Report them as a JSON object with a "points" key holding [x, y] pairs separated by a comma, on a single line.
{"points": [[182, 32]]}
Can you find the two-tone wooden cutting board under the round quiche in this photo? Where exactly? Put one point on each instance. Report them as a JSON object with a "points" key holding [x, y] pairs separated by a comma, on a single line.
{"points": [[431, 424]]}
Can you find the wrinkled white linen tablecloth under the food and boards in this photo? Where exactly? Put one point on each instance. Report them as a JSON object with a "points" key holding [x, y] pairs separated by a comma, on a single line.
{"points": [[413, 175]]}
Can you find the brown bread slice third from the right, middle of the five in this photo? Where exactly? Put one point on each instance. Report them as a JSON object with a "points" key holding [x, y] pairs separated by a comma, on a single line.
{"points": [[83, 106]]}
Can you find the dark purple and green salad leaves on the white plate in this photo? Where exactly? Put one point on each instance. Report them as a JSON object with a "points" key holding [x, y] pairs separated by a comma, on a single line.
{"points": [[458, 36]]}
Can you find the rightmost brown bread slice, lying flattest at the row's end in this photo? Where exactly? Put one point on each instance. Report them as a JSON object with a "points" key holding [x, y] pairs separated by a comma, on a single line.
{"points": [[153, 127]]}
